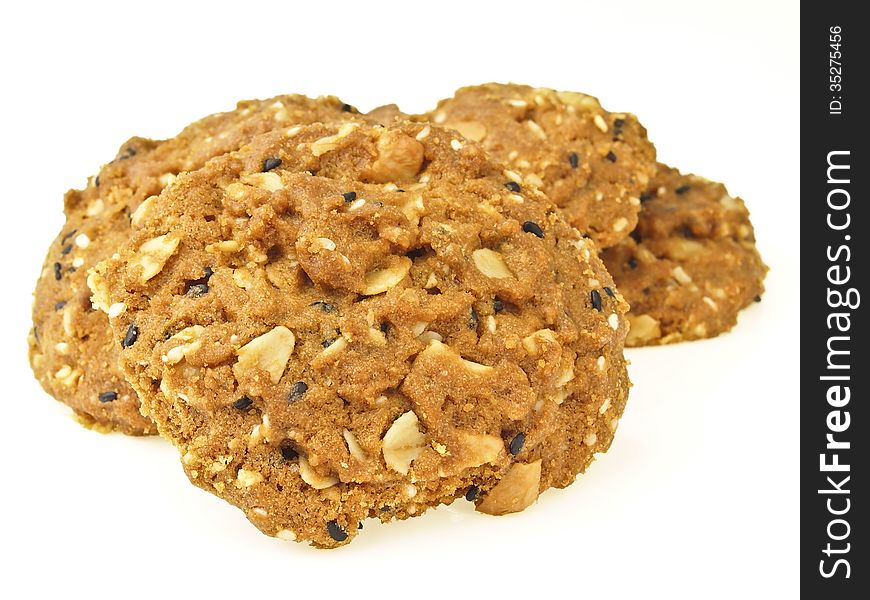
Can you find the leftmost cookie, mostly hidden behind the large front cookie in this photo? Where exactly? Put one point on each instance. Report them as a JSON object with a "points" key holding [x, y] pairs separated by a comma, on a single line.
{"points": [[71, 351]]}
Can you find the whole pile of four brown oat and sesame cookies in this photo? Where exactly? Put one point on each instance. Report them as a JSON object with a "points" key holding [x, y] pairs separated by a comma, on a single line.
{"points": [[337, 316]]}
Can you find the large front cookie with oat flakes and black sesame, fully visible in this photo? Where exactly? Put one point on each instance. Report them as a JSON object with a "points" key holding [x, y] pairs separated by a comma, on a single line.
{"points": [[346, 322]]}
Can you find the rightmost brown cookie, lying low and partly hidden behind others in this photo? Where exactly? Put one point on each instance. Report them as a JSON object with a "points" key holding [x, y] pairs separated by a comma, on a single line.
{"points": [[691, 264]]}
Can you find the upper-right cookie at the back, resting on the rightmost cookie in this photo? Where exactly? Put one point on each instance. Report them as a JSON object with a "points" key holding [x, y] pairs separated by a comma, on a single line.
{"points": [[593, 164]]}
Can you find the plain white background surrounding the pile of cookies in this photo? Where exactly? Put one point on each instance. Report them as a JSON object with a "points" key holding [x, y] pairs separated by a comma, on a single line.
{"points": [[698, 496]]}
